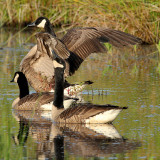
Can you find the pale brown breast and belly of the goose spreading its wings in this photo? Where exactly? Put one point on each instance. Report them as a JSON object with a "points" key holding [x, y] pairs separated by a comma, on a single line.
{"points": [[38, 69]]}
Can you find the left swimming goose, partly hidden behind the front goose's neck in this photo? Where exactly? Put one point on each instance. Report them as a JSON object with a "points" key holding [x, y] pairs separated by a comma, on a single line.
{"points": [[34, 101]]}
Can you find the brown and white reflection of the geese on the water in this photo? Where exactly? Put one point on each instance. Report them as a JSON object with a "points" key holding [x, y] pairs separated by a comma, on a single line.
{"points": [[87, 140]]}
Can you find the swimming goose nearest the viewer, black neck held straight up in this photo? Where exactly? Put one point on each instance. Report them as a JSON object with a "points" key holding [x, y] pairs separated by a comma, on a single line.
{"points": [[80, 113]]}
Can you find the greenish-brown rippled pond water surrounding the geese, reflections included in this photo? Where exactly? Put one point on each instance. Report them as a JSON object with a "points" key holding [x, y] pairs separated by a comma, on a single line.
{"points": [[125, 77]]}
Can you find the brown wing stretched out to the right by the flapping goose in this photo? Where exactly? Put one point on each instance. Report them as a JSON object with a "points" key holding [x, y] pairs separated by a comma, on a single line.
{"points": [[84, 41]]}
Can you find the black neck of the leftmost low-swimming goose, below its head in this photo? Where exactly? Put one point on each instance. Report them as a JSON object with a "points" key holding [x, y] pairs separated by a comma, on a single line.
{"points": [[23, 88]]}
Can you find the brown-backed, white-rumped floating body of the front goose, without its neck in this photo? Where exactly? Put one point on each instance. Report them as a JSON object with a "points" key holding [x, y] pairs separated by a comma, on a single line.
{"points": [[89, 113]]}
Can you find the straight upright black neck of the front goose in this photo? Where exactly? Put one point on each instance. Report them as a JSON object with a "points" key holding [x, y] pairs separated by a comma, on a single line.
{"points": [[59, 88]]}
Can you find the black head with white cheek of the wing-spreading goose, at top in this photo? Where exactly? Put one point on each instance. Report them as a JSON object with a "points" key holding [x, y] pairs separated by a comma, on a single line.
{"points": [[41, 22]]}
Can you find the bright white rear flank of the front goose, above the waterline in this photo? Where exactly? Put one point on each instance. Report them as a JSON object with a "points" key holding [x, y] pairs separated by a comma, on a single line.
{"points": [[105, 117]]}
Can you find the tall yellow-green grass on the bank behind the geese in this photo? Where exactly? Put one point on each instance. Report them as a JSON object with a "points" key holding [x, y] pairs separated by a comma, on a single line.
{"points": [[140, 18]]}
